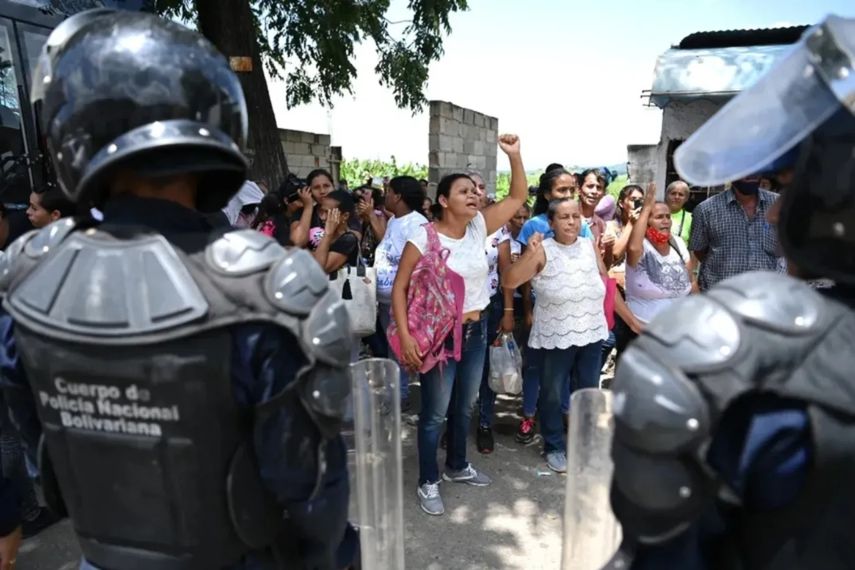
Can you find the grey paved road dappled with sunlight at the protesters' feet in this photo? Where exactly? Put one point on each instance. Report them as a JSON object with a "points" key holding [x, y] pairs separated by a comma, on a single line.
{"points": [[513, 524]]}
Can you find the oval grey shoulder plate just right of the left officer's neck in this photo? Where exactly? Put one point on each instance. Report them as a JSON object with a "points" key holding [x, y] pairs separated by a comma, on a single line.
{"points": [[242, 252]]}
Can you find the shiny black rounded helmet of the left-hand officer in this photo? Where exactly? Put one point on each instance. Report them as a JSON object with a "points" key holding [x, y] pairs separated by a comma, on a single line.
{"points": [[127, 90]]}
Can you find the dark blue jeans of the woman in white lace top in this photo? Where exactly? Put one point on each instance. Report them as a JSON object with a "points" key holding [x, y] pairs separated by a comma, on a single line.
{"points": [[577, 364]]}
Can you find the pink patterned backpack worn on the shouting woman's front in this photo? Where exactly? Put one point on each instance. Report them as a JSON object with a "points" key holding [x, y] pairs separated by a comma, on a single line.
{"points": [[434, 306]]}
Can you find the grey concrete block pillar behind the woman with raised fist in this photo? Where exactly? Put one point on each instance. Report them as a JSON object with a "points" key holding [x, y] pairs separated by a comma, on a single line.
{"points": [[461, 139]]}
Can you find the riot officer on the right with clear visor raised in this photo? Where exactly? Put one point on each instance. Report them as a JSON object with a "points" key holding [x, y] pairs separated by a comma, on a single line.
{"points": [[734, 437]]}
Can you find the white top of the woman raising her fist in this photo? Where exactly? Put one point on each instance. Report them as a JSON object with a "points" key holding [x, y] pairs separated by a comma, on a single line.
{"points": [[467, 259]]}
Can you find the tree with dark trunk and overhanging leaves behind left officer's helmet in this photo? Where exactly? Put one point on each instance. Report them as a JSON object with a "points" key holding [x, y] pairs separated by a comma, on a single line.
{"points": [[310, 44]]}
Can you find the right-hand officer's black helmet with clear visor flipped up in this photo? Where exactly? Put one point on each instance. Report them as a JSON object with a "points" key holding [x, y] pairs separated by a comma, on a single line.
{"points": [[801, 114]]}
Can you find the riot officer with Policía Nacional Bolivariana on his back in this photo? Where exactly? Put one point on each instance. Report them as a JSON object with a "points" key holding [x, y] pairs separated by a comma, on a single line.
{"points": [[190, 383]]}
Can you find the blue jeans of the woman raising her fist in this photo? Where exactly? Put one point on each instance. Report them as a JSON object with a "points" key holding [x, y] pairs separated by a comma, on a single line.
{"points": [[451, 389]]}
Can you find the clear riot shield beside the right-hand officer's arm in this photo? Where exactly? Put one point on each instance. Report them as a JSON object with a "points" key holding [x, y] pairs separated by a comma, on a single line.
{"points": [[591, 532]]}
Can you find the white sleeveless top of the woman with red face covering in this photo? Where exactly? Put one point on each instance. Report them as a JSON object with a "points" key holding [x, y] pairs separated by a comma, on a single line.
{"points": [[657, 280]]}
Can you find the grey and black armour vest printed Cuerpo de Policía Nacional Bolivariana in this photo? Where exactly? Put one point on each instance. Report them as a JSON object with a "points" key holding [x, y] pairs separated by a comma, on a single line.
{"points": [[126, 343]]}
